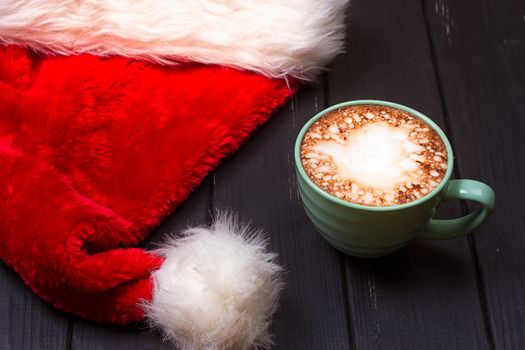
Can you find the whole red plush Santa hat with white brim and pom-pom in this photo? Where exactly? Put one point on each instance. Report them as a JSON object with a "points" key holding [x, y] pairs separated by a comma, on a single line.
{"points": [[111, 113]]}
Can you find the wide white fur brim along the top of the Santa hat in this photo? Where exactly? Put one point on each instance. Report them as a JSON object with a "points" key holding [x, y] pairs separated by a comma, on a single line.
{"points": [[276, 38]]}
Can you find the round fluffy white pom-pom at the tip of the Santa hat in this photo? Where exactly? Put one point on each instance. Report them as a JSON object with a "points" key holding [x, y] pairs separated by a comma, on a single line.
{"points": [[217, 288]]}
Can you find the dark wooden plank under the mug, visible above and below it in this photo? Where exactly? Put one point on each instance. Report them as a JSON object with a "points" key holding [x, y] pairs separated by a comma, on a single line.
{"points": [[424, 296]]}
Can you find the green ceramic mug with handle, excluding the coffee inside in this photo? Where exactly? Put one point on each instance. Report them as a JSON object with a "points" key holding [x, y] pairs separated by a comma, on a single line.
{"points": [[367, 231]]}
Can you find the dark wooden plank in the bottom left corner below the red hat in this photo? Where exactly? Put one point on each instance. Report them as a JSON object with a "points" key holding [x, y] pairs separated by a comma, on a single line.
{"points": [[26, 321]]}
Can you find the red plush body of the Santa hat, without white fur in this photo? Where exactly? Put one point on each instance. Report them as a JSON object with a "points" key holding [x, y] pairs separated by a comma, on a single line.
{"points": [[95, 152]]}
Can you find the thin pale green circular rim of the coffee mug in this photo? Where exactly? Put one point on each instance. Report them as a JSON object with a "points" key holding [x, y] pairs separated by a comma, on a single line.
{"points": [[424, 118]]}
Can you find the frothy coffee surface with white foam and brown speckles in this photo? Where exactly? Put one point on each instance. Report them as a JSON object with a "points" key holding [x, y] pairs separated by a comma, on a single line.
{"points": [[374, 155]]}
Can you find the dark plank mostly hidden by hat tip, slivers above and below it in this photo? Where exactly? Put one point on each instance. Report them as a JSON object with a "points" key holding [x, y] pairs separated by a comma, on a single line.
{"points": [[93, 336]]}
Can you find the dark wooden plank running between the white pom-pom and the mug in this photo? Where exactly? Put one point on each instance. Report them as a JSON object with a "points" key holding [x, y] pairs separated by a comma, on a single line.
{"points": [[259, 184]]}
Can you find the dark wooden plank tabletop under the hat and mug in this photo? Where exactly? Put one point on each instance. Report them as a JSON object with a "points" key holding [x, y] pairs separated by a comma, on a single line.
{"points": [[461, 62]]}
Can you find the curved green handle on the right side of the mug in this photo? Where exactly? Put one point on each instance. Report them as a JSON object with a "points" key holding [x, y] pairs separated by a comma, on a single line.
{"points": [[469, 190]]}
